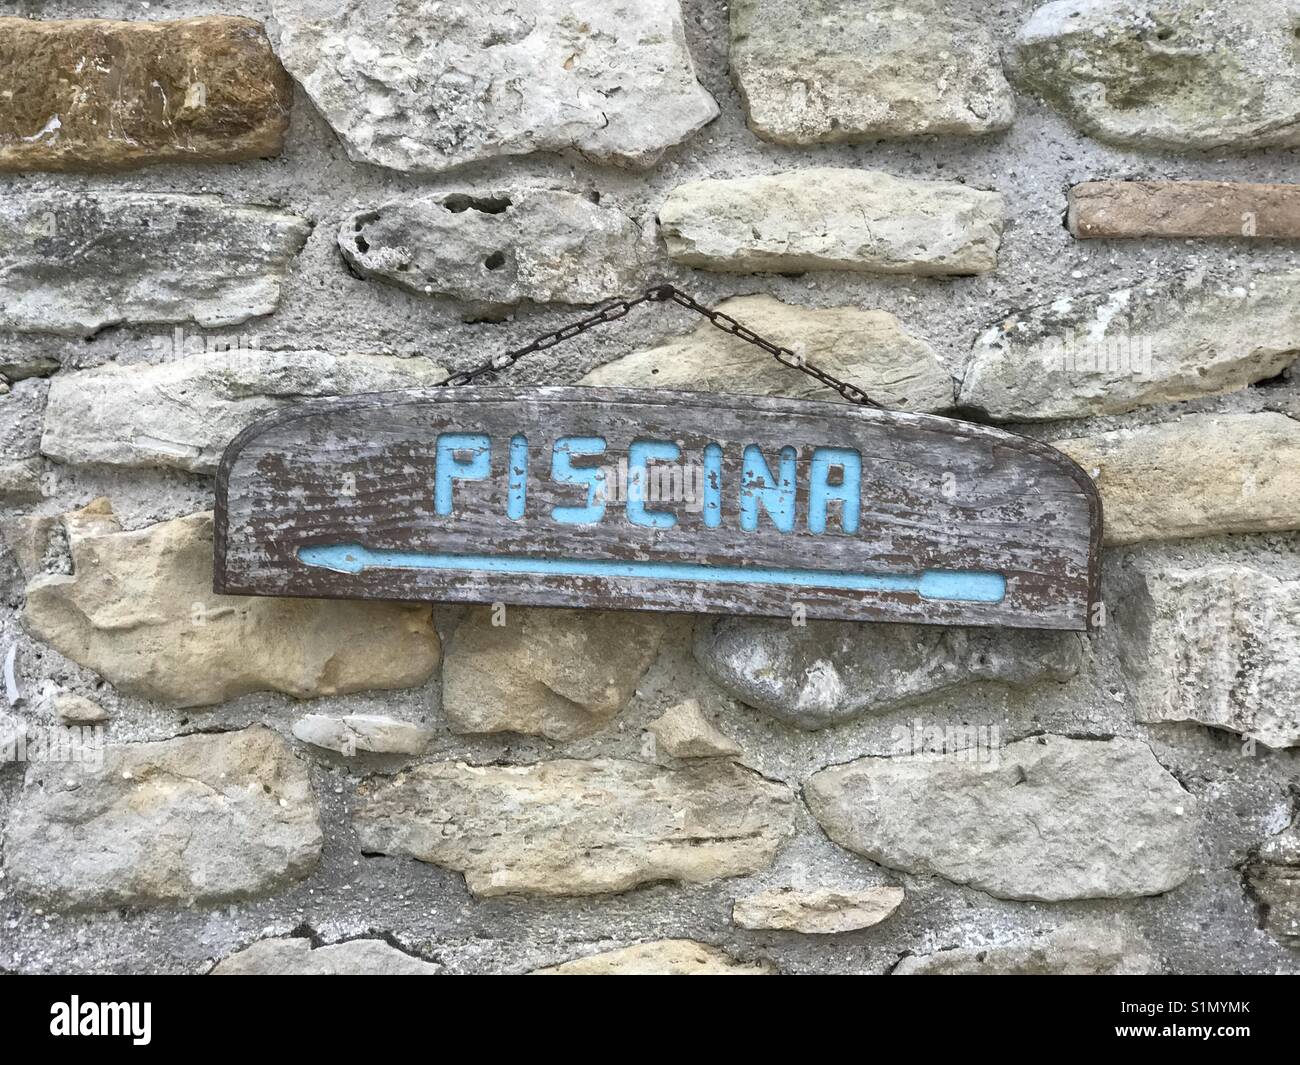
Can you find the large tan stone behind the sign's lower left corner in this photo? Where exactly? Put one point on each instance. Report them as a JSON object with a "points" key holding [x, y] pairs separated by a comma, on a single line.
{"points": [[140, 611]]}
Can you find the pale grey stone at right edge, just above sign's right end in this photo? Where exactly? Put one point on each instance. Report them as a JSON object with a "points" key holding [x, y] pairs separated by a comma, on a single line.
{"points": [[1111, 353]]}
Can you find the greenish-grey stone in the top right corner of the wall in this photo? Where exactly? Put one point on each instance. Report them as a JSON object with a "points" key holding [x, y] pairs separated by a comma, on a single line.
{"points": [[1191, 76]]}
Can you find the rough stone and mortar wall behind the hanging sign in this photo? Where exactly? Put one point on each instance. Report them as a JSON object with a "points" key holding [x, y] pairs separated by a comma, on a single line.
{"points": [[952, 205]]}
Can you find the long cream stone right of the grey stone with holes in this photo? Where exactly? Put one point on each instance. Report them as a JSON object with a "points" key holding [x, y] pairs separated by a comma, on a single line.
{"points": [[830, 219]]}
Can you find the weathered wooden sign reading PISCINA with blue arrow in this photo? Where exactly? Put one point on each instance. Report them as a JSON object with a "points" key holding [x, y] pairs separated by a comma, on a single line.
{"points": [[648, 500]]}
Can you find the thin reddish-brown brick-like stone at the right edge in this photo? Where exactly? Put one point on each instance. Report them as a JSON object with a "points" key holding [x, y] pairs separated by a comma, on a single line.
{"points": [[1185, 210]]}
